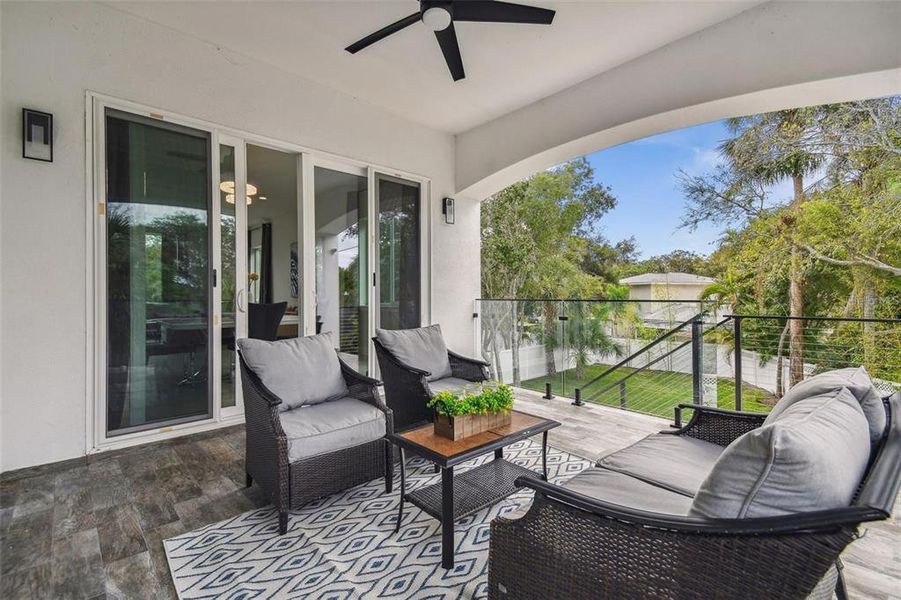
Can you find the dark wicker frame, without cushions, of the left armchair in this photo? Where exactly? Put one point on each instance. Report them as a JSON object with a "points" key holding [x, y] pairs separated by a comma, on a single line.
{"points": [[290, 485]]}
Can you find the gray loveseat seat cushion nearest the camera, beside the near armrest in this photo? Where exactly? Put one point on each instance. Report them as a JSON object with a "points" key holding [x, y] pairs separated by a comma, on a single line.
{"points": [[624, 490]]}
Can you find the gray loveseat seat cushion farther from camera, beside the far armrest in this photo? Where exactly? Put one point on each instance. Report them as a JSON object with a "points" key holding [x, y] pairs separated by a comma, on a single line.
{"points": [[677, 463]]}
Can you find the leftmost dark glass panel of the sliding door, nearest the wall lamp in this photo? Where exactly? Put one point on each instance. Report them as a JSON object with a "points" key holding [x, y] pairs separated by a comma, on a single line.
{"points": [[158, 273]]}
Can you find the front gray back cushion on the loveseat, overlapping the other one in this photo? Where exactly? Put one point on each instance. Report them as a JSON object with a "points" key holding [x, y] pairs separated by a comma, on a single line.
{"points": [[812, 458]]}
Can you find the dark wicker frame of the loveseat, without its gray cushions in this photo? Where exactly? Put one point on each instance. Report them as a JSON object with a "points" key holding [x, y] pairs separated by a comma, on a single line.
{"points": [[569, 545]]}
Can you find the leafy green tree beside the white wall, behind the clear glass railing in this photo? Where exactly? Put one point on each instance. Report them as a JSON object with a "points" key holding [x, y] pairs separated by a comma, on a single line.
{"points": [[535, 235]]}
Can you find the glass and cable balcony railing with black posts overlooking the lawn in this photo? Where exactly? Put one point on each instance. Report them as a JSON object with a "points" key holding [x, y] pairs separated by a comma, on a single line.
{"points": [[651, 356]]}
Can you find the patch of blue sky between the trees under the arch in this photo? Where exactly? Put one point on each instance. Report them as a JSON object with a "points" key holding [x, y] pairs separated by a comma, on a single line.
{"points": [[642, 175]]}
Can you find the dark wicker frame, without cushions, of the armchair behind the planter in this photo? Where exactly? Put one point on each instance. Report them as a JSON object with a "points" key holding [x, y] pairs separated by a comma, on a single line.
{"points": [[407, 389]]}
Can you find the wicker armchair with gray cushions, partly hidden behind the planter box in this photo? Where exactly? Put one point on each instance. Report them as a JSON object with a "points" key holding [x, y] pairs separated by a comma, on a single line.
{"points": [[414, 364]]}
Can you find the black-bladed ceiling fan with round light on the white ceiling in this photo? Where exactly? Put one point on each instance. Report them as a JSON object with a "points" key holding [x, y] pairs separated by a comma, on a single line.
{"points": [[440, 15]]}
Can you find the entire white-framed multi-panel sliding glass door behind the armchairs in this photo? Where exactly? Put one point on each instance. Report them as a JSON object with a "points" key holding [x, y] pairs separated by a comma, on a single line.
{"points": [[201, 233]]}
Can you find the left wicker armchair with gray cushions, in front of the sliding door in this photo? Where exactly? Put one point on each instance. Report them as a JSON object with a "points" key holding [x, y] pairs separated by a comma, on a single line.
{"points": [[308, 450]]}
